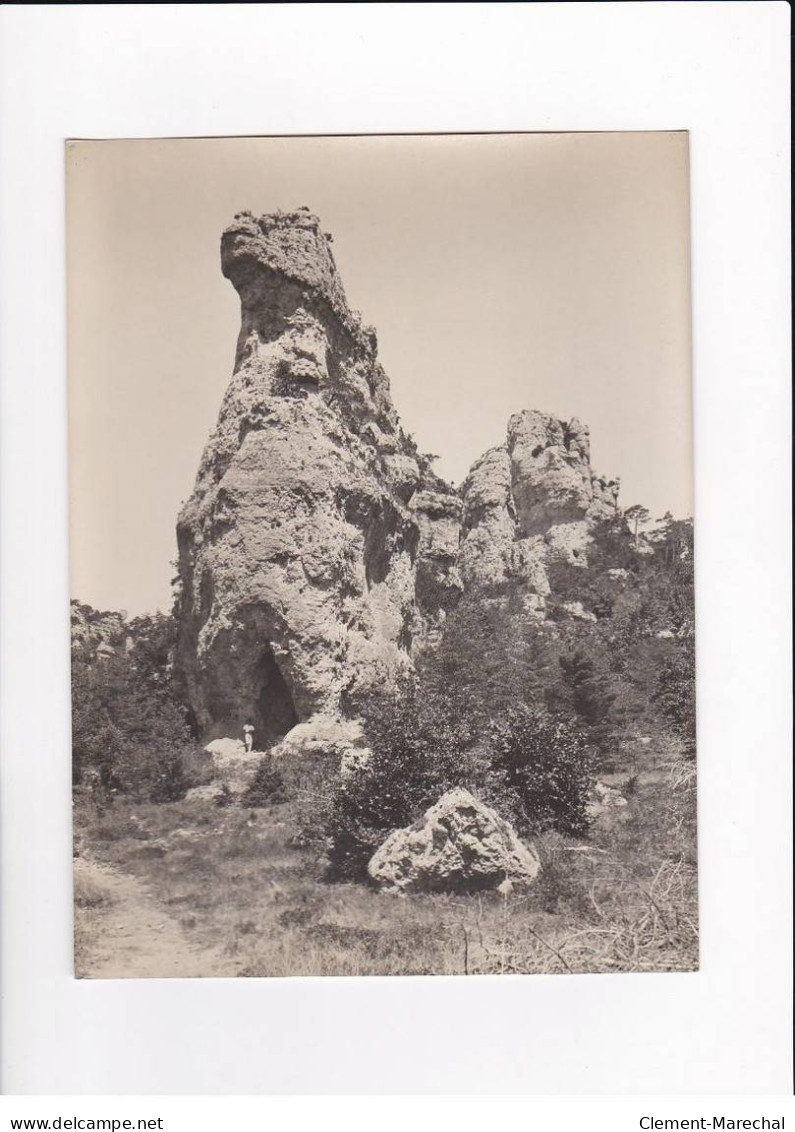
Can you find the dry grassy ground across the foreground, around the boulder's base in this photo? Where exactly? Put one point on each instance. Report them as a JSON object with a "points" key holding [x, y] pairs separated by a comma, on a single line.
{"points": [[234, 882]]}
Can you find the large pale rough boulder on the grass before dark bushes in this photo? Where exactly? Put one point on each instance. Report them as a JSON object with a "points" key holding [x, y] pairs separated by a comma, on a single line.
{"points": [[459, 845]]}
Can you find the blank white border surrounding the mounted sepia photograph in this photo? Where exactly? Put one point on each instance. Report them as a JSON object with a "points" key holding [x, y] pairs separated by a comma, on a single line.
{"points": [[722, 72]]}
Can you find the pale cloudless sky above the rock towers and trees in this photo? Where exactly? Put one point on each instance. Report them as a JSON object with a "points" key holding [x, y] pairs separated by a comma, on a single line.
{"points": [[501, 272]]}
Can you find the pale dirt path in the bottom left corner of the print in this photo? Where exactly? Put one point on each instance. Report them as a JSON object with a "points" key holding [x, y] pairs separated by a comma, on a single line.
{"points": [[122, 933]]}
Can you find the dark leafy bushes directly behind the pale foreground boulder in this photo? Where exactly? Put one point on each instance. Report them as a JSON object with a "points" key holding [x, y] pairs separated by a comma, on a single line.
{"points": [[533, 767]]}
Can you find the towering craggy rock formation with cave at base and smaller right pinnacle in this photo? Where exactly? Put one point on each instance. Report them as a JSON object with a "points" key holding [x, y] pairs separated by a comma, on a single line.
{"points": [[319, 552]]}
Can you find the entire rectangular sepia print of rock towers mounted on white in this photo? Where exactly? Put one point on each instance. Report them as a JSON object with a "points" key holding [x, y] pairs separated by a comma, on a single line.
{"points": [[382, 675]]}
